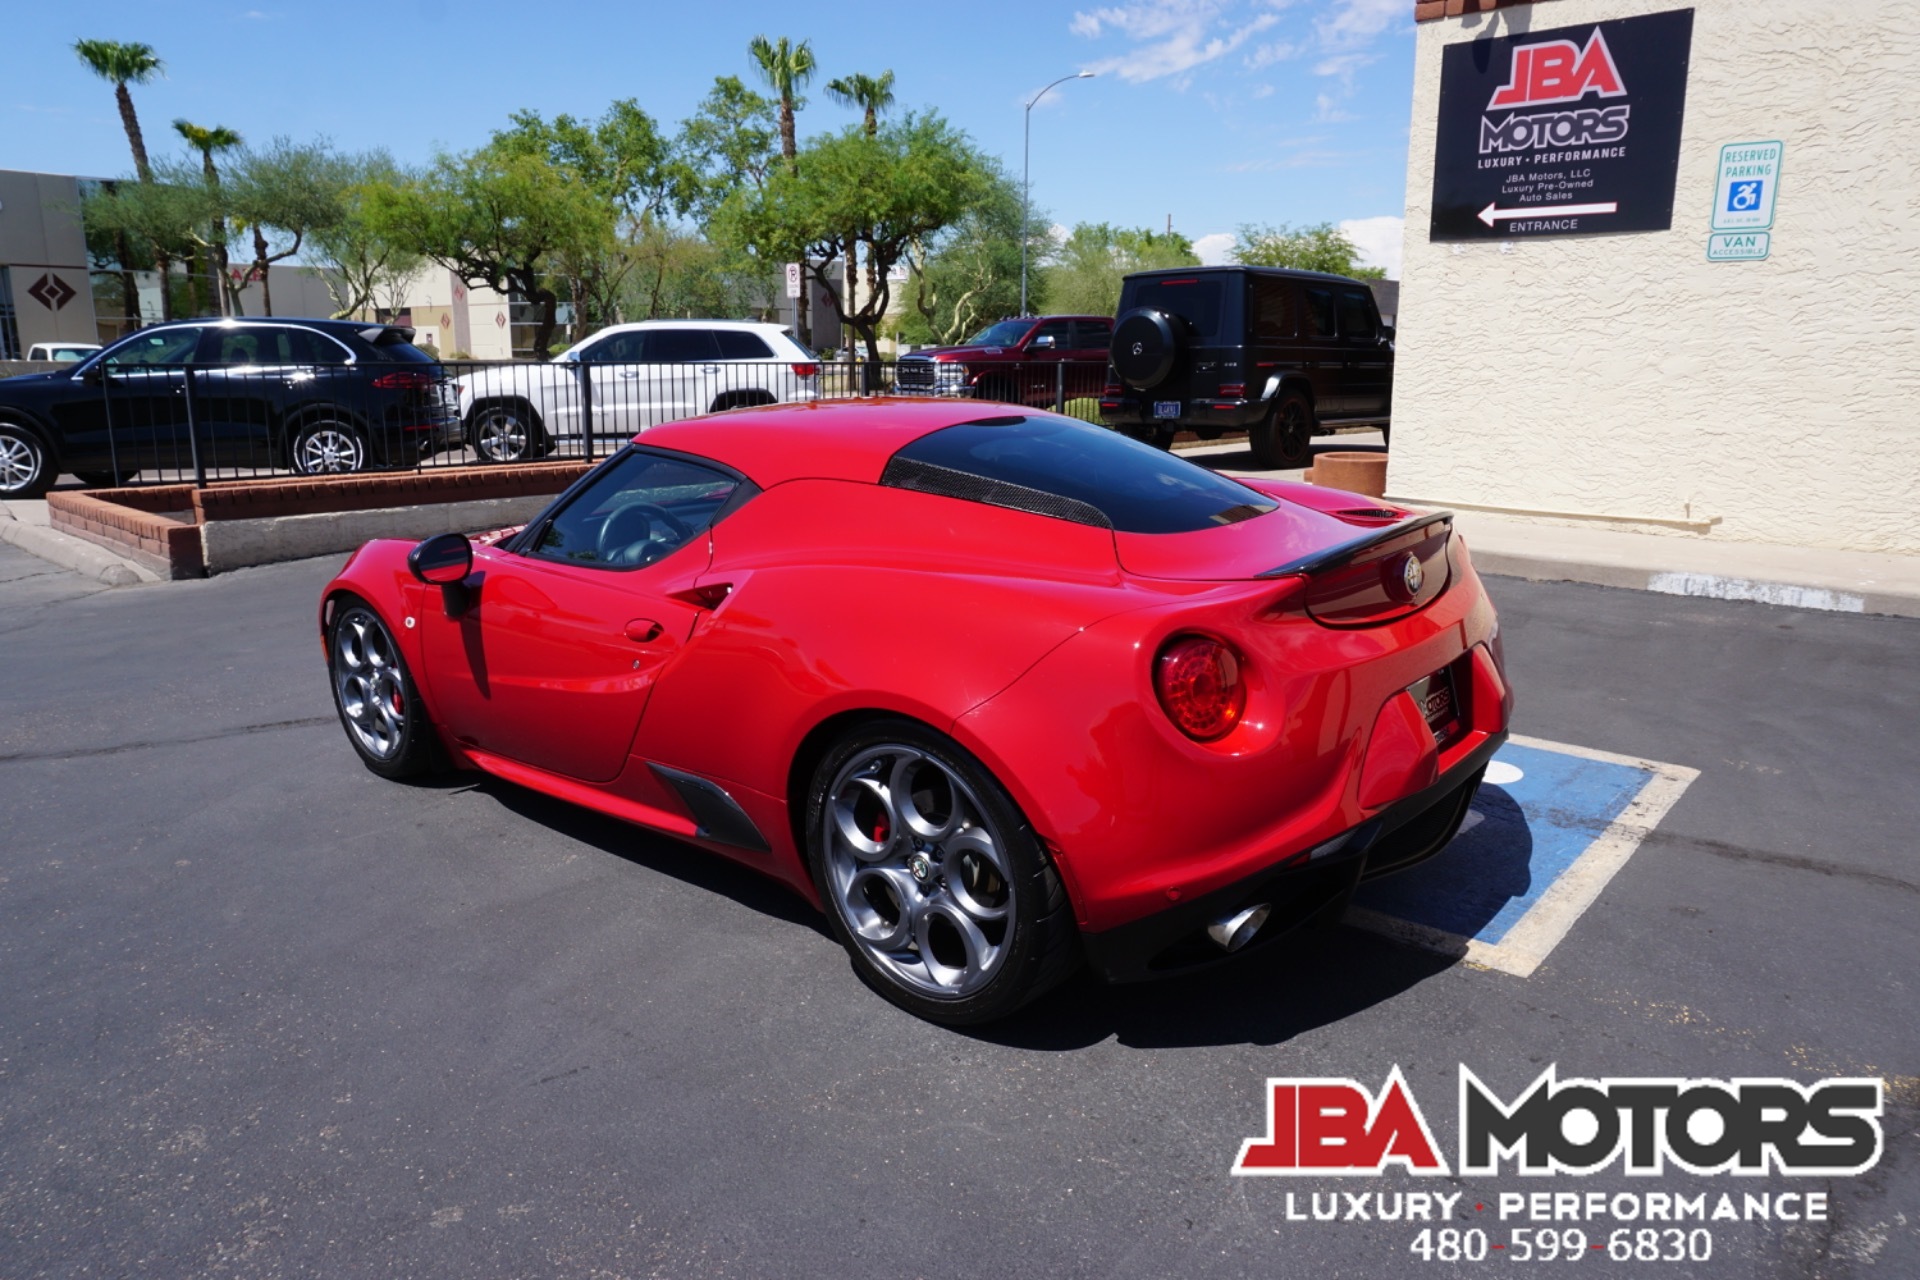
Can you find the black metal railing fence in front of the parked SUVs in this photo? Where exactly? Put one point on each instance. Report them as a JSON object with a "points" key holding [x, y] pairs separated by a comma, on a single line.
{"points": [[199, 423]]}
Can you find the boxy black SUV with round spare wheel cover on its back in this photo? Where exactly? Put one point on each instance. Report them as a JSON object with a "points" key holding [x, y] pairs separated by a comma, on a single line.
{"points": [[1278, 354]]}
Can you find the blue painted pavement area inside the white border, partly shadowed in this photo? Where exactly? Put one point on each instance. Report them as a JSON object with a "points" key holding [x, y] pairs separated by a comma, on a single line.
{"points": [[1520, 840]]}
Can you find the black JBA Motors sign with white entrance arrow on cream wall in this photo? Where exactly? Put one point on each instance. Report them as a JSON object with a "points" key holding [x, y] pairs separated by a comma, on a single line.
{"points": [[1562, 133]]}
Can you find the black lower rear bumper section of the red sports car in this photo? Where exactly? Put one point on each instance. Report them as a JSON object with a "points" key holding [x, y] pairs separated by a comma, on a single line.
{"points": [[1305, 891]]}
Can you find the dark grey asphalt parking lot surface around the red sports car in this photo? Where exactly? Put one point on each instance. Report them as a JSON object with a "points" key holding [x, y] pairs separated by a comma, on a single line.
{"points": [[268, 1016]]}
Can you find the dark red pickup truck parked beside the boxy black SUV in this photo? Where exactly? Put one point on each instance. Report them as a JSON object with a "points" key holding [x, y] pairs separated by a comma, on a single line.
{"points": [[1024, 362]]}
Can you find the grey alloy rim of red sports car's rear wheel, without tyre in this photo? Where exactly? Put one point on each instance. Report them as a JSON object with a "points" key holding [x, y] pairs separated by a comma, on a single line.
{"points": [[919, 872]]}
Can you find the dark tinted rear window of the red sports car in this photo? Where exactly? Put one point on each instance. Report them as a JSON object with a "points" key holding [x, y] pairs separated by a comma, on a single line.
{"points": [[1072, 471]]}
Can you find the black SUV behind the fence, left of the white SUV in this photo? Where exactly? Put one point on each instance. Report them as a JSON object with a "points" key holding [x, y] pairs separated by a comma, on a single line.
{"points": [[306, 396]]}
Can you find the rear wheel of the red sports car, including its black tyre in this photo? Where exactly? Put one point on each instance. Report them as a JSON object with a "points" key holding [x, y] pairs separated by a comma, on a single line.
{"points": [[932, 878]]}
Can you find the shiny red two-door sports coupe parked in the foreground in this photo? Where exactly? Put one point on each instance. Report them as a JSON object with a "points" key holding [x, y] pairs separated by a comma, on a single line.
{"points": [[1003, 696]]}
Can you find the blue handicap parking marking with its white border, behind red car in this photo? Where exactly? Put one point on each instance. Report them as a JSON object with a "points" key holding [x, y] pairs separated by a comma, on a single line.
{"points": [[1550, 828]]}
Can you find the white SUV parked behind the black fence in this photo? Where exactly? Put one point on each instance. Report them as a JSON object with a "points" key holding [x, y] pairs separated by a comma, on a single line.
{"points": [[640, 375]]}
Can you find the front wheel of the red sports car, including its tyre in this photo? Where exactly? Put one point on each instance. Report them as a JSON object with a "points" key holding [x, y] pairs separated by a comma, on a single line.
{"points": [[375, 696]]}
